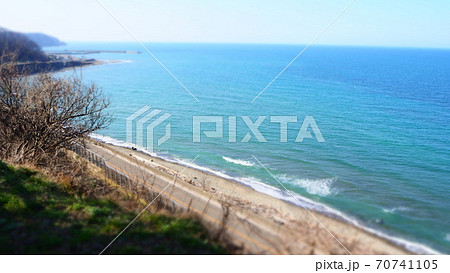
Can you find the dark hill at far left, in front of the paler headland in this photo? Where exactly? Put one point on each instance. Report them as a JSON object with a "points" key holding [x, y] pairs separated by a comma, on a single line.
{"points": [[26, 49]]}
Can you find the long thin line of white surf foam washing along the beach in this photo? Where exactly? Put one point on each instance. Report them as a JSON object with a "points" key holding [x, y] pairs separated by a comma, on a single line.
{"points": [[299, 200]]}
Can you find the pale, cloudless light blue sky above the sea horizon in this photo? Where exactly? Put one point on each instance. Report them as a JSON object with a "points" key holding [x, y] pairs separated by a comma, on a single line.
{"points": [[397, 23]]}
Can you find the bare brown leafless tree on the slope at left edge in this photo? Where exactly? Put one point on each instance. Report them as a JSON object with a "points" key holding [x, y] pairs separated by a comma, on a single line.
{"points": [[41, 114]]}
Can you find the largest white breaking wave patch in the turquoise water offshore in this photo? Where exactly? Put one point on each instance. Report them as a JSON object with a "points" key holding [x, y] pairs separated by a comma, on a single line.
{"points": [[321, 187]]}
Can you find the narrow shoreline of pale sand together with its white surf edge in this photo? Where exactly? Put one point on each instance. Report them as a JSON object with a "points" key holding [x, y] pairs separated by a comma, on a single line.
{"points": [[278, 208]]}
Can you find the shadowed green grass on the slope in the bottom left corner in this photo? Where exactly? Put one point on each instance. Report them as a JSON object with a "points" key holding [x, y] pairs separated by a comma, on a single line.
{"points": [[39, 216]]}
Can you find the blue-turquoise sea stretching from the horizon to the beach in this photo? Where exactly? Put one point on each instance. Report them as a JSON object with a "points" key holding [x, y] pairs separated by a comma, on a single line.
{"points": [[384, 114]]}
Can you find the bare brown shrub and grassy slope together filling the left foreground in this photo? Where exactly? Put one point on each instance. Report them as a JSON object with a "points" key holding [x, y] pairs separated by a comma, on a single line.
{"points": [[54, 202]]}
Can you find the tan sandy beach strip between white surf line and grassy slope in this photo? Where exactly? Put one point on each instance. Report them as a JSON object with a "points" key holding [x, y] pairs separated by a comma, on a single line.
{"points": [[289, 228]]}
